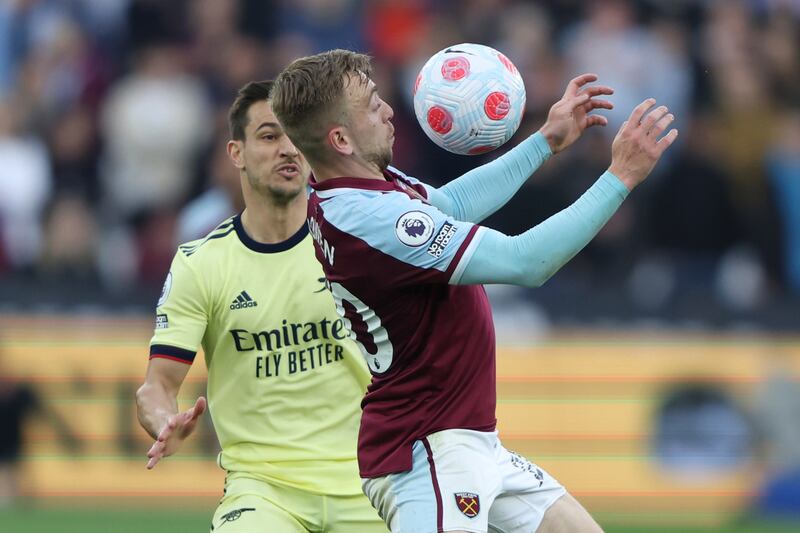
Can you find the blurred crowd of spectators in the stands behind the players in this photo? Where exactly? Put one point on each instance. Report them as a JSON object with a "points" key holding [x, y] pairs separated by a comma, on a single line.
{"points": [[112, 131]]}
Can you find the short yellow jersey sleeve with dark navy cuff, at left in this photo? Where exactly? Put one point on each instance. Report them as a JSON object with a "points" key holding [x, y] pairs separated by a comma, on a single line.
{"points": [[181, 314]]}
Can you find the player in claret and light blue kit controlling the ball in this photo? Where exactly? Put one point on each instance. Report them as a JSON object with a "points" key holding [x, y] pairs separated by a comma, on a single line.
{"points": [[405, 262]]}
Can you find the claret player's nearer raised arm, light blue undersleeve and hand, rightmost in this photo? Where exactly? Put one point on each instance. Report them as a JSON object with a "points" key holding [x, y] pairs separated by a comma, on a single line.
{"points": [[531, 258]]}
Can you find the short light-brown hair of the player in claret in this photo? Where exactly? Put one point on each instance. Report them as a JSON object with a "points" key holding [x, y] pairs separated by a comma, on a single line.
{"points": [[308, 96]]}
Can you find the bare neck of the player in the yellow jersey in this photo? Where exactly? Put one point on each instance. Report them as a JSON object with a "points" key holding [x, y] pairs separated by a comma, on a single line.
{"points": [[270, 222]]}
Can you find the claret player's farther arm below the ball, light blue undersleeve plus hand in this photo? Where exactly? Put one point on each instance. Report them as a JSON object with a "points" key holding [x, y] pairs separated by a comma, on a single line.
{"points": [[483, 190]]}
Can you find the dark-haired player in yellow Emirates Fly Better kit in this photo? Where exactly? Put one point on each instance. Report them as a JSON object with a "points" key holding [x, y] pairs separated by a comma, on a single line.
{"points": [[284, 380]]}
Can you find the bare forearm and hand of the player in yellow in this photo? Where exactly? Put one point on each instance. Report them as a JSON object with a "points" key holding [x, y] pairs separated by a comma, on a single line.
{"points": [[157, 408]]}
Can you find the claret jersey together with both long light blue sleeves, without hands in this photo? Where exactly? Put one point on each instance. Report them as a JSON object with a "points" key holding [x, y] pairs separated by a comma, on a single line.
{"points": [[405, 262]]}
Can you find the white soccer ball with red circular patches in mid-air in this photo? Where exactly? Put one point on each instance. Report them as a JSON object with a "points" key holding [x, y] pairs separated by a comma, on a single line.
{"points": [[469, 98]]}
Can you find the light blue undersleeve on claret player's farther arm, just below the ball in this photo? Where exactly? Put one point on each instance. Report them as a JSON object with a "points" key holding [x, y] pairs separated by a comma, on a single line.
{"points": [[483, 190]]}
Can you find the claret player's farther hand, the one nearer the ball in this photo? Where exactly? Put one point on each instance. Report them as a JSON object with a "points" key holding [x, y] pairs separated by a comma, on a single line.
{"points": [[569, 117]]}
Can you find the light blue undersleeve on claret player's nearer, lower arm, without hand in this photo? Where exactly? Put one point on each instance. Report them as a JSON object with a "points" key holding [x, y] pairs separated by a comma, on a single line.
{"points": [[531, 258]]}
